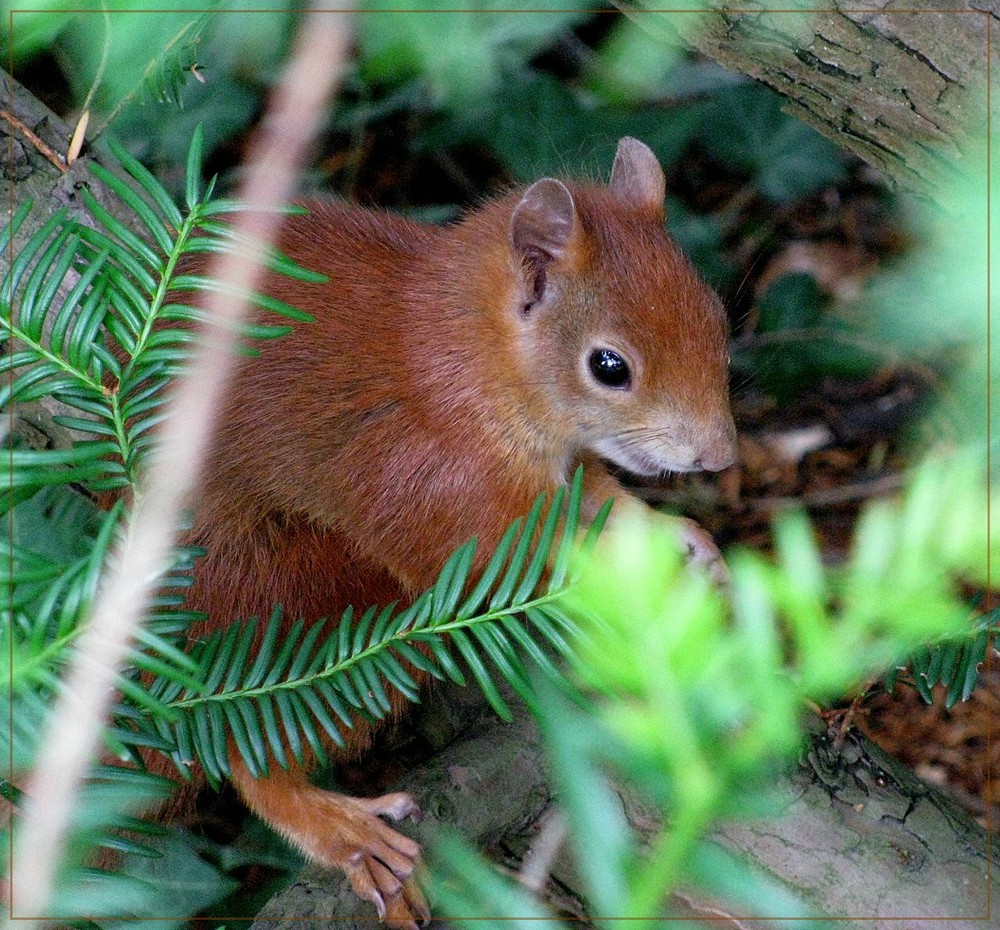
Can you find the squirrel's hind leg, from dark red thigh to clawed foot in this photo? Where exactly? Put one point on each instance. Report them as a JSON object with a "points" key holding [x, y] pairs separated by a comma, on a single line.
{"points": [[312, 573]]}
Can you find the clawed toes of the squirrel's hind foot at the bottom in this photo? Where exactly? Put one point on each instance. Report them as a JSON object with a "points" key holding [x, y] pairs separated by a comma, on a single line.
{"points": [[378, 860]]}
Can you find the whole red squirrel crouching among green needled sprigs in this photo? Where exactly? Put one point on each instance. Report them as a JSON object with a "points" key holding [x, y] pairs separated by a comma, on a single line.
{"points": [[452, 374]]}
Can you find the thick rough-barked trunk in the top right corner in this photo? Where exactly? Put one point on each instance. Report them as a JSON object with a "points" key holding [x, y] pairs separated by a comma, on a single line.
{"points": [[898, 83]]}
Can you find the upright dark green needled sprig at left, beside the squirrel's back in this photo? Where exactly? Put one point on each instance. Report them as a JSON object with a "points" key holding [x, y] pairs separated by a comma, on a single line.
{"points": [[101, 348]]}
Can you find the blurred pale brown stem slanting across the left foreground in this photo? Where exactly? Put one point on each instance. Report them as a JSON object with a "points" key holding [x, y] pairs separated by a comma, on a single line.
{"points": [[73, 738]]}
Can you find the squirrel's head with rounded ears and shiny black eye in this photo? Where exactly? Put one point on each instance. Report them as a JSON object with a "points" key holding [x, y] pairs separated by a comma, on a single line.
{"points": [[626, 346]]}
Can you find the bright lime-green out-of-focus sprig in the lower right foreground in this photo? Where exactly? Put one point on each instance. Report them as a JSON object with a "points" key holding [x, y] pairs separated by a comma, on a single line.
{"points": [[735, 689]]}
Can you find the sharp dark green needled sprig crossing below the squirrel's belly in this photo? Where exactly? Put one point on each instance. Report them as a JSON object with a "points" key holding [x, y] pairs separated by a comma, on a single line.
{"points": [[278, 700]]}
